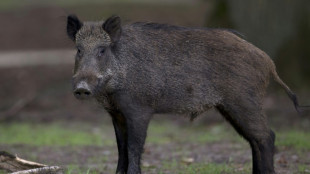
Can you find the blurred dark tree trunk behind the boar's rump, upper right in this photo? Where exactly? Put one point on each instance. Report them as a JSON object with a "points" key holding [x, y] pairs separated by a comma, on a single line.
{"points": [[279, 27]]}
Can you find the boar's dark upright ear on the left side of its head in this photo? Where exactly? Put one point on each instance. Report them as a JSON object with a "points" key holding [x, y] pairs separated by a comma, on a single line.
{"points": [[73, 26]]}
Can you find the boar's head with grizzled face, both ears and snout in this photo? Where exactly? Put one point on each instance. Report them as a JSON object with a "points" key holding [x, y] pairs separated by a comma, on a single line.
{"points": [[95, 61]]}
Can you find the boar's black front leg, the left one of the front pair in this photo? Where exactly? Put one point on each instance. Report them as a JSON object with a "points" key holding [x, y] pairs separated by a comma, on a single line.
{"points": [[121, 139]]}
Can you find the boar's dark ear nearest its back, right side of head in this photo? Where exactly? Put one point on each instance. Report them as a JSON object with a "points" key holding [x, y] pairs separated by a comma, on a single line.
{"points": [[113, 27]]}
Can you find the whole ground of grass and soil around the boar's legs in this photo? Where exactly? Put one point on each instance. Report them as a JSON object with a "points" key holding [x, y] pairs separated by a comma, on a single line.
{"points": [[83, 147]]}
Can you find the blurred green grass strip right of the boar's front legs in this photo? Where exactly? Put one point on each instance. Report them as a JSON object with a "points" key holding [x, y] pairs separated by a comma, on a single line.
{"points": [[163, 133]]}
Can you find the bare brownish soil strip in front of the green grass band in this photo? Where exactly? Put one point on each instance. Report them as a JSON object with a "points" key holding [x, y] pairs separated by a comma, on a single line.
{"points": [[104, 159]]}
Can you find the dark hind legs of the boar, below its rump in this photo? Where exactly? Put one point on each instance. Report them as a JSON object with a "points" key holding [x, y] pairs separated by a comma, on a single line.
{"points": [[250, 123]]}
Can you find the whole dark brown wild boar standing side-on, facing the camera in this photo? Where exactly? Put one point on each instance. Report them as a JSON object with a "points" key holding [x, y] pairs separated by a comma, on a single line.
{"points": [[140, 69]]}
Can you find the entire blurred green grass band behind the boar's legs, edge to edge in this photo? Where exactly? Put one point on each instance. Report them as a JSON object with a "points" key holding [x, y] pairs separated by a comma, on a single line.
{"points": [[57, 134]]}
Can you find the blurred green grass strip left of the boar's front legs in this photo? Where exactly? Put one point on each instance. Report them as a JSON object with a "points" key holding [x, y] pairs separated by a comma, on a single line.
{"points": [[53, 134]]}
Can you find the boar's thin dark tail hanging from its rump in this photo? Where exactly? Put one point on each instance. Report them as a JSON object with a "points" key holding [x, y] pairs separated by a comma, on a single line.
{"points": [[289, 92]]}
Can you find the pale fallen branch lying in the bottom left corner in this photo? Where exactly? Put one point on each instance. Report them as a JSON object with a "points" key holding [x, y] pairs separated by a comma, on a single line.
{"points": [[17, 165]]}
